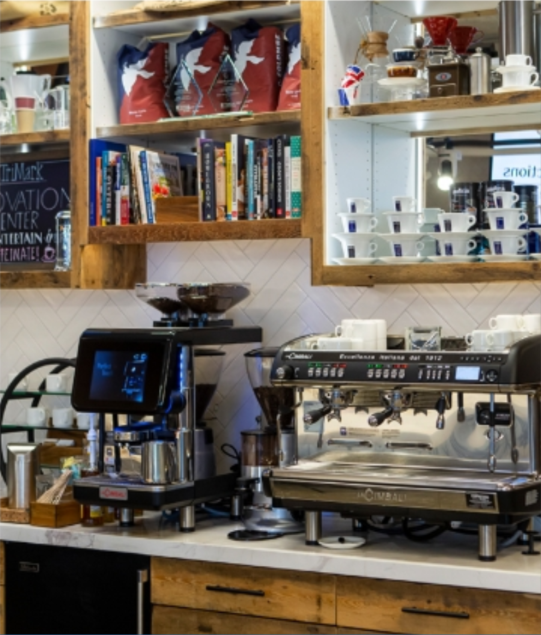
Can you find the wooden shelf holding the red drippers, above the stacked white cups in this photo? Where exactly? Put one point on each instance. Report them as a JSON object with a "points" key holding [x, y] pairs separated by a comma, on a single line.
{"points": [[463, 114]]}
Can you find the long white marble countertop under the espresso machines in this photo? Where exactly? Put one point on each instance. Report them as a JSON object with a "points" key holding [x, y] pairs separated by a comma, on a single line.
{"points": [[450, 559]]}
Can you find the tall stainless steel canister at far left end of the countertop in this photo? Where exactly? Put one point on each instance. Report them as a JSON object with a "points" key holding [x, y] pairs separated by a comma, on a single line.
{"points": [[23, 467]]}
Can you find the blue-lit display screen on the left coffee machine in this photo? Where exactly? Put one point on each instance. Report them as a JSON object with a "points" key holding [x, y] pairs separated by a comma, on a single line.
{"points": [[119, 376]]}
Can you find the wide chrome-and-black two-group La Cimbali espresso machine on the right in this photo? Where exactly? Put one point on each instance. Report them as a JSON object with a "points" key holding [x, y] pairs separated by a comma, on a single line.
{"points": [[394, 446]]}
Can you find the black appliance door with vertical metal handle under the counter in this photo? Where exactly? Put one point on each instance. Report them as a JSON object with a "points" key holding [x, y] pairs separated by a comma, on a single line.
{"points": [[51, 589]]}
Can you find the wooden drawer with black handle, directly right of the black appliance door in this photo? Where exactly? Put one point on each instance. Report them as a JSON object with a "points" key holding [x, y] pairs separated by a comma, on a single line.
{"points": [[305, 597]]}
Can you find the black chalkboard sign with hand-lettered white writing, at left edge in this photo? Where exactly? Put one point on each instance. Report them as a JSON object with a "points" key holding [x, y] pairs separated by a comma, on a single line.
{"points": [[31, 194]]}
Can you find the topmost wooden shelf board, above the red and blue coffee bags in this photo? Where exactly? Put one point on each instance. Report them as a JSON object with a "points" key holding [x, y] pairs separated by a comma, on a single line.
{"points": [[187, 19]]}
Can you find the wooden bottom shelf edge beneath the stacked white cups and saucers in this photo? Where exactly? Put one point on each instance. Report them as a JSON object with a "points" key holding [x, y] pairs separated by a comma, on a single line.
{"points": [[370, 275]]}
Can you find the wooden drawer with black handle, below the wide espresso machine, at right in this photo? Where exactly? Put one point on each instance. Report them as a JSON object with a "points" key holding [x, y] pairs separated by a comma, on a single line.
{"points": [[406, 607]]}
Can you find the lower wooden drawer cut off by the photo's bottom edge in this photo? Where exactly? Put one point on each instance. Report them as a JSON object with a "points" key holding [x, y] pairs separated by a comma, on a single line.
{"points": [[166, 620]]}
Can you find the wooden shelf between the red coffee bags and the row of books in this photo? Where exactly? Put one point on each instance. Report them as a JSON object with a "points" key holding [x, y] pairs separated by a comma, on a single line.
{"points": [[185, 128]]}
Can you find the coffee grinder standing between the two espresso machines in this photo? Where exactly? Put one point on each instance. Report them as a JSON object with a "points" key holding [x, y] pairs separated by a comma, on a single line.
{"points": [[272, 444]]}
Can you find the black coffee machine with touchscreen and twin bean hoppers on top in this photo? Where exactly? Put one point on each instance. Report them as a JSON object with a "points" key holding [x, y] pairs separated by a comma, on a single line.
{"points": [[149, 375]]}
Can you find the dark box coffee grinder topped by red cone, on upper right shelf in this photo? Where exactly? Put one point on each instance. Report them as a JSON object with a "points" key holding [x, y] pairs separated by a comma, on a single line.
{"points": [[448, 73]]}
